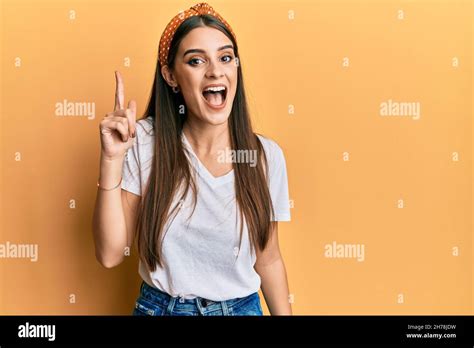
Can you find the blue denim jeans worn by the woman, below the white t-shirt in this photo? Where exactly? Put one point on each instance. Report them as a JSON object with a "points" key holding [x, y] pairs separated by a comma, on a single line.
{"points": [[154, 302]]}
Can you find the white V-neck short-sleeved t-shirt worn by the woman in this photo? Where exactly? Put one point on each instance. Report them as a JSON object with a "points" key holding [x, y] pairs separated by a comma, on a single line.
{"points": [[201, 255]]}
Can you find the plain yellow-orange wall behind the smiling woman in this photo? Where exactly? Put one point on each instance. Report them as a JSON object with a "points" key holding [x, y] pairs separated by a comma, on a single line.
{"points": [[299, 62]]}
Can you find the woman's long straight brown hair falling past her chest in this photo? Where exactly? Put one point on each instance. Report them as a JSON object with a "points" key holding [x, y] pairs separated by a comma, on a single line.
{"points": [[171, 170]]}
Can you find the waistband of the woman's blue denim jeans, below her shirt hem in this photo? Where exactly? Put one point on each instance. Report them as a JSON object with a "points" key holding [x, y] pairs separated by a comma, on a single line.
{"points": [[197, 304]]}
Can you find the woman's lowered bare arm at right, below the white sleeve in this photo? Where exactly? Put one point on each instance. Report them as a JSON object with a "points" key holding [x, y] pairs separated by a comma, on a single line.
{"points": [[271, 268]]}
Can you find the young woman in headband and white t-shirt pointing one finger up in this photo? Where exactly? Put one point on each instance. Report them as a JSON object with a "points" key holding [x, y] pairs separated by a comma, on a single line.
{"points": [[202, 194]]}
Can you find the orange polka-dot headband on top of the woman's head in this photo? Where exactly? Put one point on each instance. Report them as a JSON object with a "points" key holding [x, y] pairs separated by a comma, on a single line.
{"points": [[196, 10]]}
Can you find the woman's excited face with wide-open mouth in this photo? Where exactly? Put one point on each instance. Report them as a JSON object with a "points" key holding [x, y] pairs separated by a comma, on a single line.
{"points": [[205, 58]]}
